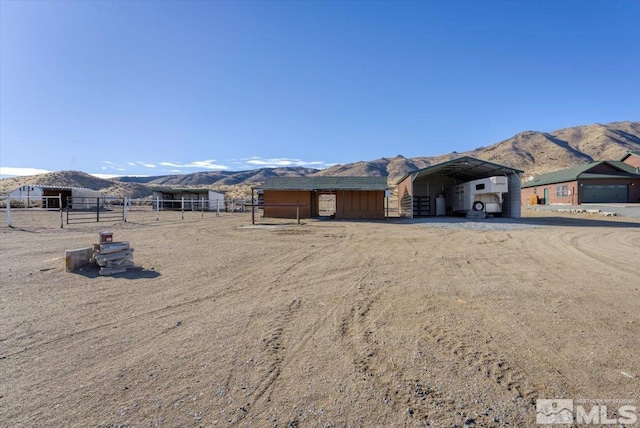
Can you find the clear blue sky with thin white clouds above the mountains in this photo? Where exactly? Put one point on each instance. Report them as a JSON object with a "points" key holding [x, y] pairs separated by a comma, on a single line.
{"points": [[162, 87]]}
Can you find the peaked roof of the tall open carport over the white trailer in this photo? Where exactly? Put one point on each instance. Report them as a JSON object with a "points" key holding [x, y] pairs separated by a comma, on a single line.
{"points": [[464, 168]]}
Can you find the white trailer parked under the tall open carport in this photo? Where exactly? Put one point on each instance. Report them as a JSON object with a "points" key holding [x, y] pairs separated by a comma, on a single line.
{"points": [[484, 194]]}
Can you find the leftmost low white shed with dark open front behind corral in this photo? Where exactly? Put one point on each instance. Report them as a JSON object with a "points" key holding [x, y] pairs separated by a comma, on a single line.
{"points": [[48, 196]]}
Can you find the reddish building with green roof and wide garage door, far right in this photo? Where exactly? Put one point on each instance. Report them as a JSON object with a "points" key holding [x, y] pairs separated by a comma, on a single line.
{"points": [[592, 182]]}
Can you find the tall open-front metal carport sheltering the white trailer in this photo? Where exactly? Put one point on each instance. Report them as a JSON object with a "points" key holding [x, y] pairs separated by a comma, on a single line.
{"points": [[418, 190]]}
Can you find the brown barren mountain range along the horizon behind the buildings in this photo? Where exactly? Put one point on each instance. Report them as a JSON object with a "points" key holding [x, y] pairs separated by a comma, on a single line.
{"points": [[531, 151]]}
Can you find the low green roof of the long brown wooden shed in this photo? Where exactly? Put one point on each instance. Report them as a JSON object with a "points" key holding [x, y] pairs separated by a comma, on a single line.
{"points": [[325, 183]]}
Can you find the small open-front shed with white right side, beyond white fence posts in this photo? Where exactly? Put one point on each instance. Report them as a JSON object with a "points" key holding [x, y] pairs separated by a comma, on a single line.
{"points": [[169, 198]]}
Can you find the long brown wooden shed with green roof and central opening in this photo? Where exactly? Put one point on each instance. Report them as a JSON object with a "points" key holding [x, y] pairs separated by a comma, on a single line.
{"points": [[353, 197]]}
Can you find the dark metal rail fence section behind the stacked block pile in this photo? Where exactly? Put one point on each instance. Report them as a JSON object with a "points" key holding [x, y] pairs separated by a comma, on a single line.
{"points": [[81, 209]]}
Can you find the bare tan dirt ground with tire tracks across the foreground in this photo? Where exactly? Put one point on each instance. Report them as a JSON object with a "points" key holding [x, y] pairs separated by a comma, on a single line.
{"points": [[326, 324]]}
